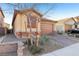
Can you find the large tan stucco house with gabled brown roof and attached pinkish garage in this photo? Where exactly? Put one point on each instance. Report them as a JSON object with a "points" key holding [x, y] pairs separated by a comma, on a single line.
{"points": [[21, 24]]}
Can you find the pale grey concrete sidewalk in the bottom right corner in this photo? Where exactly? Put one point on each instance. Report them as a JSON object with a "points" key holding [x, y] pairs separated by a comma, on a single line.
{"points": [[72, 50]]}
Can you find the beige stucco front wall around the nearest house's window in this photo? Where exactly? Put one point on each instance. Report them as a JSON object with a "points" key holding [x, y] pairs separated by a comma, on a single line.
{"points": [[20, 23]]}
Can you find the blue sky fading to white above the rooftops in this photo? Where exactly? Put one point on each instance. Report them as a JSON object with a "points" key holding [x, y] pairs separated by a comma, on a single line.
{"points": [[57, 11]]}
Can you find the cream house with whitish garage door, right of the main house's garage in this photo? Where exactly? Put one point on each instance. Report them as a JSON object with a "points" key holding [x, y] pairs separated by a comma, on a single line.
{"points": [[64, 25]]}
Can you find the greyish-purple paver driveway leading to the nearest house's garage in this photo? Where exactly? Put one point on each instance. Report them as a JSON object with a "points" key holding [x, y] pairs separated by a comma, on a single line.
{"points": [[63, 40]]}
